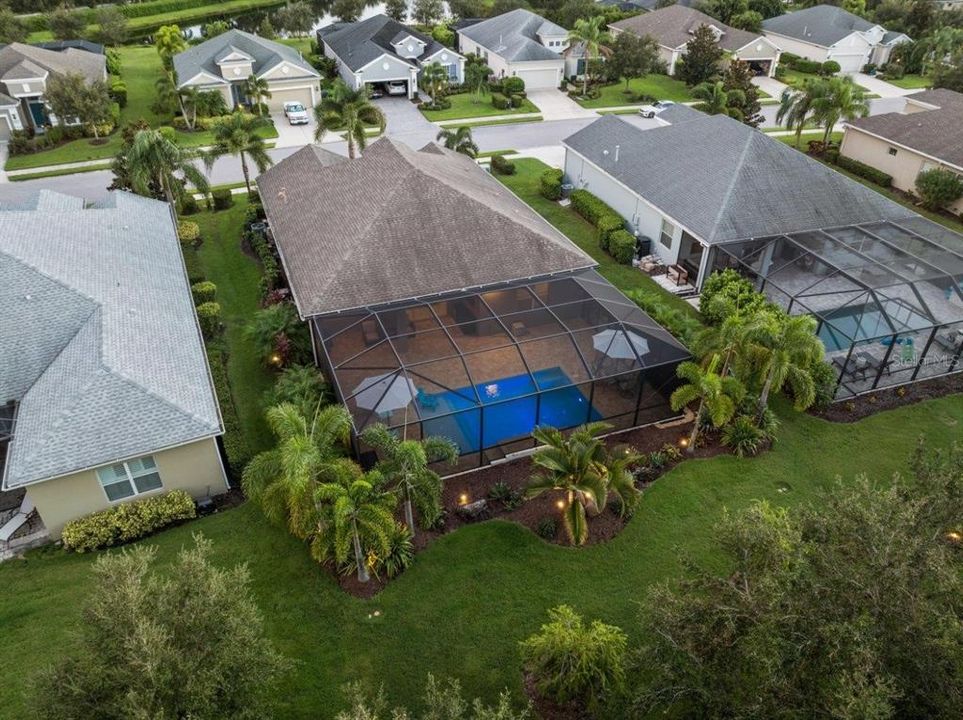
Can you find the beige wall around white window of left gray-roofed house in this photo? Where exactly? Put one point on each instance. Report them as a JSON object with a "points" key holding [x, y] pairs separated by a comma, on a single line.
{"points": [[195, 468]]}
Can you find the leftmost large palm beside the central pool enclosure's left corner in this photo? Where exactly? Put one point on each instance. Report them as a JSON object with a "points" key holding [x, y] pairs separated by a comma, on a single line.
{"points": [[283, 480]]}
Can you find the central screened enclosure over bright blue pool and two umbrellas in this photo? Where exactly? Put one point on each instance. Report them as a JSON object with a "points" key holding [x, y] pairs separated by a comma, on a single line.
{"points": [[483, 368]]}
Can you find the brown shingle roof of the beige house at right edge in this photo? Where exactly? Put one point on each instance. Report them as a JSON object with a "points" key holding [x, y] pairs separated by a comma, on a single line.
{"points": [[938, 133]]}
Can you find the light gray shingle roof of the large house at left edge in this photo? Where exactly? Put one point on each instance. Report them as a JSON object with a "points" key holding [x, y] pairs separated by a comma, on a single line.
{"points": [[99, 344]]}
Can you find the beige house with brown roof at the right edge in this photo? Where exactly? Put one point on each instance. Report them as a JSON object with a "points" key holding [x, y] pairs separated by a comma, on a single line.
{"points": [[927, 134]]}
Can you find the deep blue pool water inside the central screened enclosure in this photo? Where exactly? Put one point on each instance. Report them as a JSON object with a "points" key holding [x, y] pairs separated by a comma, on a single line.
{"points": [[508, 414]]}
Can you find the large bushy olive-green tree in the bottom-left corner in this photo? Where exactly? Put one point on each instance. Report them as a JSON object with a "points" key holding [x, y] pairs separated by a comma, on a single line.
{"points": [[183, 641]]}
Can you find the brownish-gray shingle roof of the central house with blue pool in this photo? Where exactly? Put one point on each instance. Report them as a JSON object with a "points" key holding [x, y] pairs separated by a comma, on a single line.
{"points": [[397, 224]]}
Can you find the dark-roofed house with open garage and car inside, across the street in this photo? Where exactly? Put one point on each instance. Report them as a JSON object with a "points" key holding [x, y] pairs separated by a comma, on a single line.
{"points": [[381, 50]]}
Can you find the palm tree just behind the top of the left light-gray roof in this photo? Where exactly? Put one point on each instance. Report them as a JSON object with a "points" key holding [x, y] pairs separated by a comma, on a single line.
{"points": [[155, 160]]}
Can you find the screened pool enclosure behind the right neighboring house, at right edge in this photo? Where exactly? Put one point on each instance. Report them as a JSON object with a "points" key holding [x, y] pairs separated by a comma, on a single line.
{"points": [[887, 296]]}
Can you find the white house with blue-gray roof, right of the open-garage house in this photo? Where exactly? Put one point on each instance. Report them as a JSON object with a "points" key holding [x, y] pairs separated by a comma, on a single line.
{"points": [[521, 44]]}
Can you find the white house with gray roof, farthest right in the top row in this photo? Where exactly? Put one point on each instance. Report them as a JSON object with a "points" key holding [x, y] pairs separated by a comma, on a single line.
{"points": [[827, 32]]}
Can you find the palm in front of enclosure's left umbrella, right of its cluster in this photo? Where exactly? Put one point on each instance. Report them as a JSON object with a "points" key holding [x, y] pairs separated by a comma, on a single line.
{"points": [[404, 464]]}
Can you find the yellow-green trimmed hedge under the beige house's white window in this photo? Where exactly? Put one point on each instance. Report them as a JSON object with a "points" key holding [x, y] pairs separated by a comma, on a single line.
{"points": [[128, 521]]}
